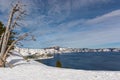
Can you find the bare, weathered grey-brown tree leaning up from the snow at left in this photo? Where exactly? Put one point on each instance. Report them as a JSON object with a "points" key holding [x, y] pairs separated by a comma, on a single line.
{"points": [[16, 14]]}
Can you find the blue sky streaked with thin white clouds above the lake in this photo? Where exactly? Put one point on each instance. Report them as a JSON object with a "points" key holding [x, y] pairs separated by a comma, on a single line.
{"points": [[70, 23]]}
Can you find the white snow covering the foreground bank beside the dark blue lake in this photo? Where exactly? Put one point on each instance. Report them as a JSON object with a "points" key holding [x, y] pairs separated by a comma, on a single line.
{"points": [[33, 70]]}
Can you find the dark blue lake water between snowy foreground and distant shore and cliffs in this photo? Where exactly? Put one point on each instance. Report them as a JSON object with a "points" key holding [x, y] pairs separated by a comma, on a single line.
{"points": [[87, 61]]}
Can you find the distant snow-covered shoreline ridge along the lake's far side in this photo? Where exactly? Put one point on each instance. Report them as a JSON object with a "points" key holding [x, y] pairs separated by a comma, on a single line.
{"points": [[53, 50]]}
